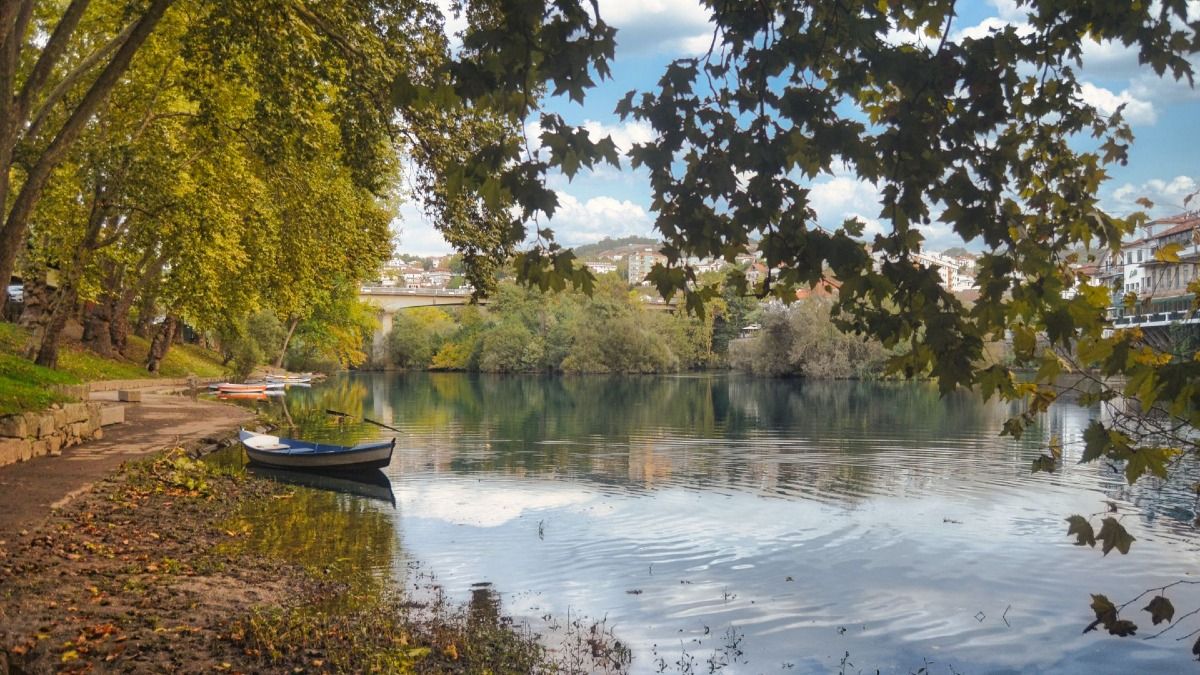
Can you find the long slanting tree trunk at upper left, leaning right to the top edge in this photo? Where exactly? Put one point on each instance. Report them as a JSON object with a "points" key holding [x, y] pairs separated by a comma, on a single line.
{"points": [[16, 224]]}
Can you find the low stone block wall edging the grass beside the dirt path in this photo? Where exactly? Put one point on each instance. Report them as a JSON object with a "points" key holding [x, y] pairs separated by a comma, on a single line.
{"points": [[35, 434]]}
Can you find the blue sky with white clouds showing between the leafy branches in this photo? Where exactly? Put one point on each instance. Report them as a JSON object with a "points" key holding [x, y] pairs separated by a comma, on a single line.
{"points": [[609, 202]]}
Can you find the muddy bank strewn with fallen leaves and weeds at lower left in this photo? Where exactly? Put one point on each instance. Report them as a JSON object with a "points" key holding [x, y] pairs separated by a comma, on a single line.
{"points": [[187, 566]]}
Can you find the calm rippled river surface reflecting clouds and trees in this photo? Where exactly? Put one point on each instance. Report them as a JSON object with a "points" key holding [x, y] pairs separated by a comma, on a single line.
{"points": [[796, 521]]}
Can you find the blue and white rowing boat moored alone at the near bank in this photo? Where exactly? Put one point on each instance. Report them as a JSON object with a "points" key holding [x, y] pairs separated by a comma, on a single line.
{"points": [[291, 453]]}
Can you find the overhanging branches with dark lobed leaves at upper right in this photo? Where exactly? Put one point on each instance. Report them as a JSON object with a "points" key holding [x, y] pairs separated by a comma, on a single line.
{"points": [[987, 135]]}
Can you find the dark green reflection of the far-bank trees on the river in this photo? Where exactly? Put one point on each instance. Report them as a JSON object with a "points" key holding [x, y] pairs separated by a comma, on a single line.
{"points": [[772, 435]]}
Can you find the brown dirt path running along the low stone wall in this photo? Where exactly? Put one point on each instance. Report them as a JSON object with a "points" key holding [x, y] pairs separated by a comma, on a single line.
{"points": [[29, 491]]}
